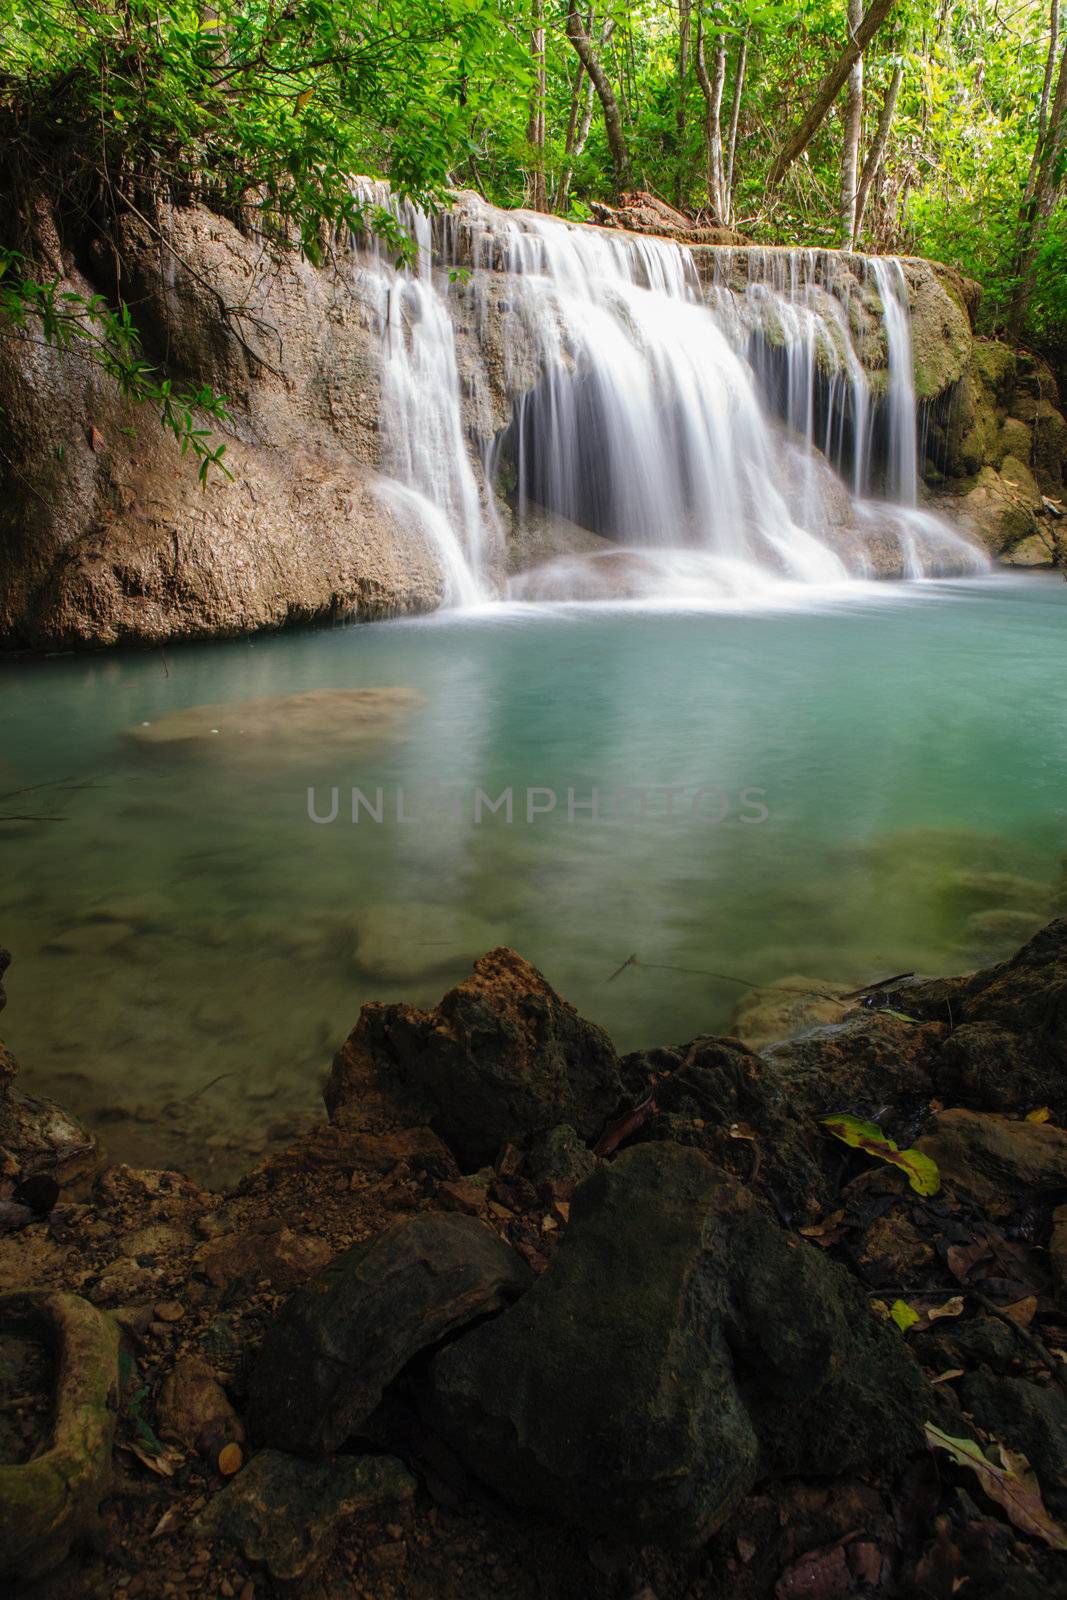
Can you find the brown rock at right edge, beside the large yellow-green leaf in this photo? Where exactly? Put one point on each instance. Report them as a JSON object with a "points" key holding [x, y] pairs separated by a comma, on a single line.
{"points": [[991, 1159]]}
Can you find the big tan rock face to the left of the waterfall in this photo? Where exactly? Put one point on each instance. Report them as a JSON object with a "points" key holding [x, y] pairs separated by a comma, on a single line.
{"points": [[105, 534]]}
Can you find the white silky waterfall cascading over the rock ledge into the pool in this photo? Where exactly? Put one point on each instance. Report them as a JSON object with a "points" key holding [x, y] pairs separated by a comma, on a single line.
{"points": [[687, 436]]}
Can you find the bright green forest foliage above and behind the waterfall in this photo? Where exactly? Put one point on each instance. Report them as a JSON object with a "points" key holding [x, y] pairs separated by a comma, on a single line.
{"points": [[266, 110]]}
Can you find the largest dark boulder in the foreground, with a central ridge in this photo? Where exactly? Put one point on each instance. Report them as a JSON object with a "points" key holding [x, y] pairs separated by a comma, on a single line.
{"points": [[677, 1348]]}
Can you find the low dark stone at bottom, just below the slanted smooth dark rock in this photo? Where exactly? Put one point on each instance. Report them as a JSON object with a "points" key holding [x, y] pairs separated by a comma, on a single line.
{"points": [[289, 1514]]}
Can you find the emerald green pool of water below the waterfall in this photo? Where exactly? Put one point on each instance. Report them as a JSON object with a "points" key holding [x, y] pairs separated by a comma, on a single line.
{"points": [[182, 921]]}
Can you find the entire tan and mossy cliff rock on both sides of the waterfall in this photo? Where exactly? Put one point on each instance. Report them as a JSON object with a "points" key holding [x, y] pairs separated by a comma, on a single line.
{"points": [[106, 535]]}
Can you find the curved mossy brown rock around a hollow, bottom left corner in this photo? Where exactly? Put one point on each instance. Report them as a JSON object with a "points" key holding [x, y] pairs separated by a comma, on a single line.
{"points": [[52, 1502]]}
